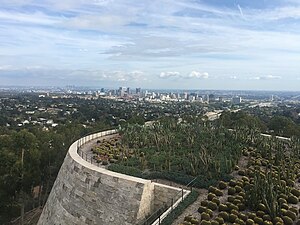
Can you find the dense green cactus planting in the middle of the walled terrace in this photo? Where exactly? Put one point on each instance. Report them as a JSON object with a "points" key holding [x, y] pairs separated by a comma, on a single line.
{"points": [[180, 151]]}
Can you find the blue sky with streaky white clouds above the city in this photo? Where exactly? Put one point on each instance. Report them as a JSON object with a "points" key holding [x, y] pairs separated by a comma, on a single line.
{"points": [[182, 44]]}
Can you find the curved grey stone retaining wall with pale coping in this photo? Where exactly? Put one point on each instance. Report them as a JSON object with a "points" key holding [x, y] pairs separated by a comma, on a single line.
{"points": [[86, 194]]}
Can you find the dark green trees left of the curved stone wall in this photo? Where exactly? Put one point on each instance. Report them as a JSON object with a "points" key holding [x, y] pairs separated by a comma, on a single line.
{"points": [[29, 163]]}
